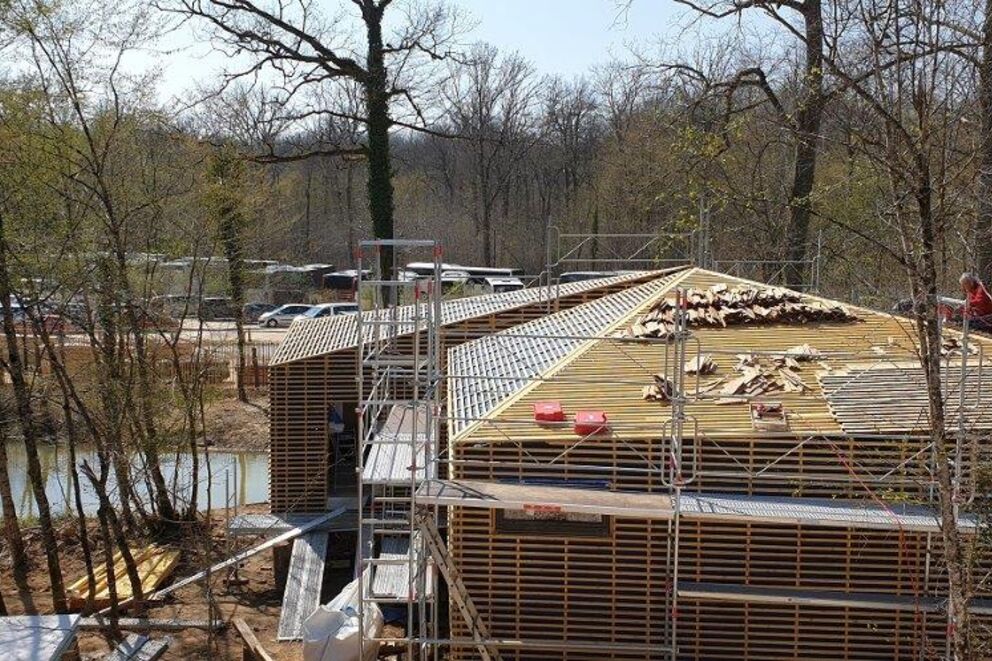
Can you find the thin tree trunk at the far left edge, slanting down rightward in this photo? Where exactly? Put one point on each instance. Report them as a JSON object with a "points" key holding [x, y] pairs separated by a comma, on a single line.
{"points": [[22, 399]]}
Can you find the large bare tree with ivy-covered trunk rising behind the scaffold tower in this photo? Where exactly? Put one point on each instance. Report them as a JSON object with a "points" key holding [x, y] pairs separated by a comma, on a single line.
{"points": [[294, 42]]}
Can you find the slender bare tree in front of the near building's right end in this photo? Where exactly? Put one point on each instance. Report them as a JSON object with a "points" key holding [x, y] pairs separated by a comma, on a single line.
{"points": [[900, 74]]}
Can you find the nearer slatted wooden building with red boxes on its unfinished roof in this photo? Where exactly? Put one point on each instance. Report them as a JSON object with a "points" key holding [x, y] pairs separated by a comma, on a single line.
{"points": [[771, 516]]}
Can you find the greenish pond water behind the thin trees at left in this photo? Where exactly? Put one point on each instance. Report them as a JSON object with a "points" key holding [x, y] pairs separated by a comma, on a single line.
{"points": [[249, 470]]}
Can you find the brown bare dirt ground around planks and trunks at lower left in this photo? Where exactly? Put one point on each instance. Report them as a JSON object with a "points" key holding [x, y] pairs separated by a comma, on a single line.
{"points": [[258, 602]]}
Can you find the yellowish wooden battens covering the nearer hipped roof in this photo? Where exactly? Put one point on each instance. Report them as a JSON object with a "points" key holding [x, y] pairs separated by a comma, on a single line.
{"points": [[580, 373]]}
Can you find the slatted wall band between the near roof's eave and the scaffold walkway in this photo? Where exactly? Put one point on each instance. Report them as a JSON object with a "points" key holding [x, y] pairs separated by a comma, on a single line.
{"points": [[727, 465]]}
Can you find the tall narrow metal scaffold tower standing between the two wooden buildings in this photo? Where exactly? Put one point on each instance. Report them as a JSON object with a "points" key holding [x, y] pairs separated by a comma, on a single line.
{"points": [[399, 371]]}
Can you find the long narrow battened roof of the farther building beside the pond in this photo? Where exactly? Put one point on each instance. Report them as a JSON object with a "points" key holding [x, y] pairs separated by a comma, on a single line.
{"points": [[311, 338]]}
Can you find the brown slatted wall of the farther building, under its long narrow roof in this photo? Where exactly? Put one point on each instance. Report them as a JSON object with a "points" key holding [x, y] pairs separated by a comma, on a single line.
{"points": [[301, 392]]}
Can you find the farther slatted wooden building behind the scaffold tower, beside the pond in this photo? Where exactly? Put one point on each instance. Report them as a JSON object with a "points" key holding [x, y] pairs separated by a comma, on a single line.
{"points": [[313, 389]]}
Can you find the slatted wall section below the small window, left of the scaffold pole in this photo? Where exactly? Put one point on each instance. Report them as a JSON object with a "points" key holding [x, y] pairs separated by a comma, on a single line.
{"points": [[610, 591]]}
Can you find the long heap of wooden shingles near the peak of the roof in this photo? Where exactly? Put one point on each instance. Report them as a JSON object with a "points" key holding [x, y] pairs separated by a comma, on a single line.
{"points": [[723, 306]]}
